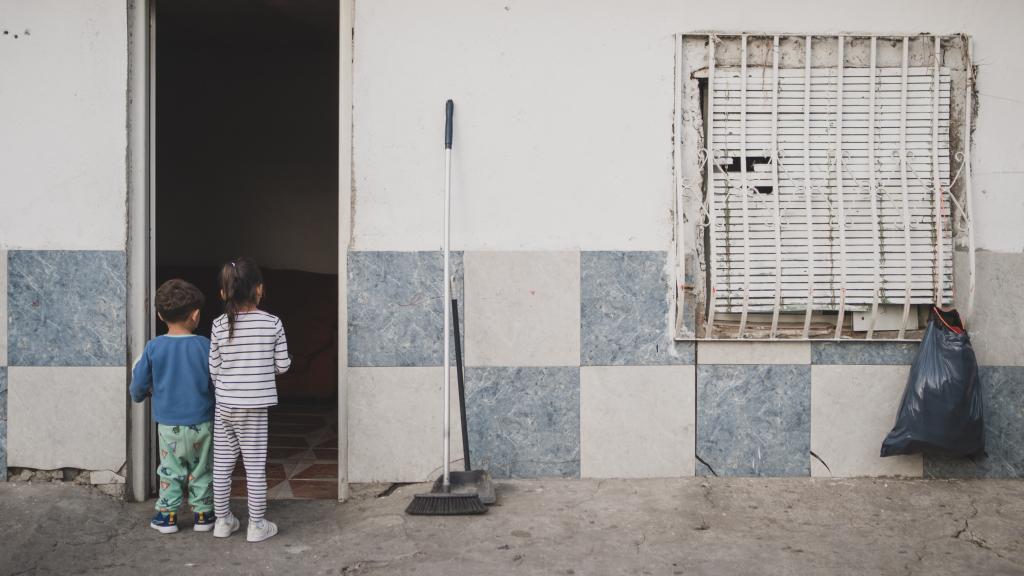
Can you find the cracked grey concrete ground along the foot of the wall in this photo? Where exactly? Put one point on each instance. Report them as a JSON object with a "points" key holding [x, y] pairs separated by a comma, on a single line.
{"points": [[692, 526]]}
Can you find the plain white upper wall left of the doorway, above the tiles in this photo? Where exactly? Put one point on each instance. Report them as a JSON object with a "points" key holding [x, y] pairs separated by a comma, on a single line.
{"points": [[64, 138]]}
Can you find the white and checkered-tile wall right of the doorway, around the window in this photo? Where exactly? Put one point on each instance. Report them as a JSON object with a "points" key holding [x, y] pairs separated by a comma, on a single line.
{"points": [[563, 221]]}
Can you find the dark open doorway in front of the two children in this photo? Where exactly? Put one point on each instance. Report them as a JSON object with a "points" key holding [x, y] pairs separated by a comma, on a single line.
{"points": [[246, 141]]}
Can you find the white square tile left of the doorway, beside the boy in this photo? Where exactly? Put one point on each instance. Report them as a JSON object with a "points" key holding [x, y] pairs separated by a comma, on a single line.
{"points": [[67, 418]]}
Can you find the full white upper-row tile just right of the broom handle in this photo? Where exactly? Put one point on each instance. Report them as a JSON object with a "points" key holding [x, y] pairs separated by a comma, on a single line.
{"points": [[523, 309]]}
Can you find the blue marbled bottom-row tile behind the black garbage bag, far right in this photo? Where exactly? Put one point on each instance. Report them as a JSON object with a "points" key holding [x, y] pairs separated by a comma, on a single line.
{"points": [[1003, 391]]}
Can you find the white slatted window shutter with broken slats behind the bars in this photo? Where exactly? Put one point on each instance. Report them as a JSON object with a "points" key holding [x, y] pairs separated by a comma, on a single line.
{"points": [[868, 239]]}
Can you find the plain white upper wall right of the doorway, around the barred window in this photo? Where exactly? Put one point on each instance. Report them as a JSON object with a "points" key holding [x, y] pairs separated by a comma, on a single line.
{"points": [[565, 114]]}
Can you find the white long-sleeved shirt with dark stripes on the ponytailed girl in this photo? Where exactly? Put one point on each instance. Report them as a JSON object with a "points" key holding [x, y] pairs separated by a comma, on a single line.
{"points": [[243, 368]]}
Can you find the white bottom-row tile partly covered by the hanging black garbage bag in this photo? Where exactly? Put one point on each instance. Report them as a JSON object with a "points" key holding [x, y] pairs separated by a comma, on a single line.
{"points": [[852, 410]]}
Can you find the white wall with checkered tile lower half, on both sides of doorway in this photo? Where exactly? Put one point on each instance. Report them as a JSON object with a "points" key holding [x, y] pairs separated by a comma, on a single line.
{"points": [[564, 190]]}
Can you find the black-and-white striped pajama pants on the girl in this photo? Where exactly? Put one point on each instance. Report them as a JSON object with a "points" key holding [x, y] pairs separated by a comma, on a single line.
{"points": [[240, 431]]}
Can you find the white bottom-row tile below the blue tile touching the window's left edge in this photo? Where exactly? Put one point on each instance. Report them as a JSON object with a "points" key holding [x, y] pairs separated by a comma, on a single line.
{"points": [[637, 422]]}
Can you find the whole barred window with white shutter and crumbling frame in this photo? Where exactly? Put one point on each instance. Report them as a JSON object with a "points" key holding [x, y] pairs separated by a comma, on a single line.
{"points": [[823, 198]]}
